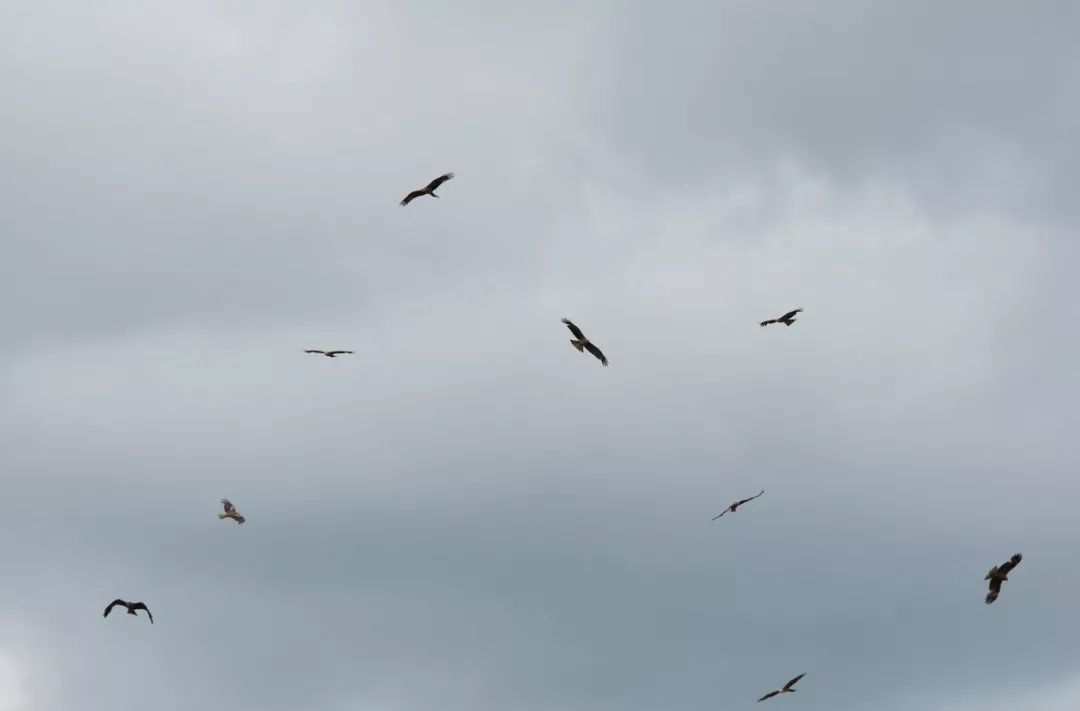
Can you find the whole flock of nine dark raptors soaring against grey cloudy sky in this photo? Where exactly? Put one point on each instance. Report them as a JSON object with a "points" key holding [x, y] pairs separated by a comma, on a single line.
{"points": [[997, 575]]}
